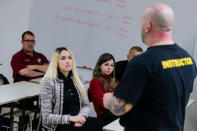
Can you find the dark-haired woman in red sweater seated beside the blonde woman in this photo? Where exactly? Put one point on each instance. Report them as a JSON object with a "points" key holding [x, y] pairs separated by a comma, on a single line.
{"points": [[103, 82]]}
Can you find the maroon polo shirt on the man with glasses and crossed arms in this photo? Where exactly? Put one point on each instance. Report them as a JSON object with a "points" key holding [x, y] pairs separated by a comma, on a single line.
{"points": [[20, 60]]}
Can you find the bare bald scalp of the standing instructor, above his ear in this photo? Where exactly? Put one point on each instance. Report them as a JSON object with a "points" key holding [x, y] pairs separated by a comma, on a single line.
{"points": [[160, 15]]}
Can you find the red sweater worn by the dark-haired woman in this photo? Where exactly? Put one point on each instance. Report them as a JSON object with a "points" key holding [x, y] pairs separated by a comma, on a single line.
{"points": [[97, 91]]}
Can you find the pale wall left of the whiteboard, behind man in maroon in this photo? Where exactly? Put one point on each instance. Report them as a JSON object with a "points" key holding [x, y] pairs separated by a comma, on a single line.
{"points": [[14, 21]]}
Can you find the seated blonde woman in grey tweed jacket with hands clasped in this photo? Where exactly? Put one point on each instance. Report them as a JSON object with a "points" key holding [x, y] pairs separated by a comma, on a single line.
{"points": [[64, 104]]}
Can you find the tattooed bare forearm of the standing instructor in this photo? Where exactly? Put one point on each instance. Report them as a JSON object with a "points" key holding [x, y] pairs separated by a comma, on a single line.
{"points": [[117, 106]]}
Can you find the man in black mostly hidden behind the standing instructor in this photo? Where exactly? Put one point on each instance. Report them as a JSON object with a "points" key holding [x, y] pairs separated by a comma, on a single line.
{"points": [[121, 65]]}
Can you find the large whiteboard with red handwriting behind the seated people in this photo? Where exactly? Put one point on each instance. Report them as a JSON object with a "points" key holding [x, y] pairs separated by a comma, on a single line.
{"points": [[92, 27]]}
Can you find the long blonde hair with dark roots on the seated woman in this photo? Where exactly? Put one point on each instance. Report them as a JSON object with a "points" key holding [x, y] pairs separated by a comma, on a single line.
{"points": [[52, 71]]}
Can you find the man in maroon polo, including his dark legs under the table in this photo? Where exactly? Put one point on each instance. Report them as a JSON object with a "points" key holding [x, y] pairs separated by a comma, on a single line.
{"points": [[28, 64]]}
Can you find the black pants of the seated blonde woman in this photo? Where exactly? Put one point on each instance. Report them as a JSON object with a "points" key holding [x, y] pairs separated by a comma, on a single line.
{"points": [[91, 124]]}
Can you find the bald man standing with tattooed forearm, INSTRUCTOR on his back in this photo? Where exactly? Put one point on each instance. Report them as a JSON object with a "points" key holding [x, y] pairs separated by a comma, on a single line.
{"points": [[155, 98]]}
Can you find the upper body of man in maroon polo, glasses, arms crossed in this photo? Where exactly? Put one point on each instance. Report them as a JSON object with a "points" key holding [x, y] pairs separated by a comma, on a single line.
{"points": [[28, 64]]}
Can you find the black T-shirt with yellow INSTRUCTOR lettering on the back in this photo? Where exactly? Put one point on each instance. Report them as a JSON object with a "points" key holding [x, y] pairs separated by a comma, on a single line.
{"points": [[158, 84]]}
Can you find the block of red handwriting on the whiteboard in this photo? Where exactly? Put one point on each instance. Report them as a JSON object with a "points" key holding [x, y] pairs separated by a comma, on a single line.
{"points": [[92, 18]]}
